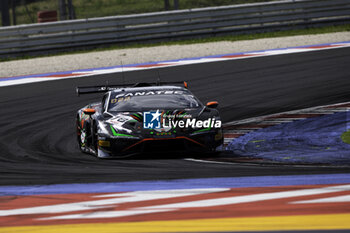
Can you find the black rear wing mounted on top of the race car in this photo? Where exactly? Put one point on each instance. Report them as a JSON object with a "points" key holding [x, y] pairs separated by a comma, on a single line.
{"points": [[103, 89]]}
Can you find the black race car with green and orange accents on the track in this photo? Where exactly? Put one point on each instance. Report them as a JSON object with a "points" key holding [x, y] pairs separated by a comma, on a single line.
{"points": [[147, 118]]}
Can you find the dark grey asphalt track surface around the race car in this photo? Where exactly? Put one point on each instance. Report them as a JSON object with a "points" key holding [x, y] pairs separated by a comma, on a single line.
{"points": [[37, 121]]}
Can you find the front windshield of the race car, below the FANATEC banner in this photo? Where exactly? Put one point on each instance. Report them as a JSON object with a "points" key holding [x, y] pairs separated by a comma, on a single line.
{"points": [[150, 102]]}
